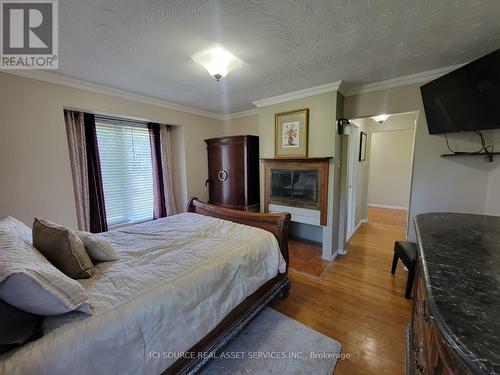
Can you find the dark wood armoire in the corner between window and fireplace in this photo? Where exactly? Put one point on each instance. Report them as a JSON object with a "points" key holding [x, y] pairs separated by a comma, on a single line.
{"points": [[233, 172]]}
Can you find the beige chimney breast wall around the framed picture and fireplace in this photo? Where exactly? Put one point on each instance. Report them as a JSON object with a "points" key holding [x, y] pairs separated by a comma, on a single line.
{"points": [[322, 138]]}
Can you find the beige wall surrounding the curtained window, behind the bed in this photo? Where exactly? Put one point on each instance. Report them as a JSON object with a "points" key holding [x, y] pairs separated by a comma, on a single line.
{"points": [[34, 160]]}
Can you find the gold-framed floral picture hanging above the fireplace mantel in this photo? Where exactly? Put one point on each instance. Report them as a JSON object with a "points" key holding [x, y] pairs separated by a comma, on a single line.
{"points": [[291, 134]]}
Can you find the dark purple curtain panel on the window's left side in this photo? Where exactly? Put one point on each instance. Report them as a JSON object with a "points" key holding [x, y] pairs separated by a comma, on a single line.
{"points": [[98, 221]]}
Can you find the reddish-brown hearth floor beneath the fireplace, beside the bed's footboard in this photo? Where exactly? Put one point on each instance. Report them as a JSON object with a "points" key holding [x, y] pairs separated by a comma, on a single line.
{"points": [[305, 258]]}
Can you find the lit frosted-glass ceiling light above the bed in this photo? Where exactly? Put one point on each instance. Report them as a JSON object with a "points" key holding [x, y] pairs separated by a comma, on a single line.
{"points": [[217, 61]]}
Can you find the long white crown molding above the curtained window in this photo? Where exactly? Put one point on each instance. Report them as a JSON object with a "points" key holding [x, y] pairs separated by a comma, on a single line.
{"points": [[61, 80]]}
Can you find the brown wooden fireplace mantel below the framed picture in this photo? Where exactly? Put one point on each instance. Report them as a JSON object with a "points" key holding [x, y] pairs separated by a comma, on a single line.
{"points": [[298, 164]]}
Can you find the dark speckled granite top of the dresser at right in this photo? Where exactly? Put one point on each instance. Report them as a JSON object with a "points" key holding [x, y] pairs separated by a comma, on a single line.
{"points": [[460, 258]]}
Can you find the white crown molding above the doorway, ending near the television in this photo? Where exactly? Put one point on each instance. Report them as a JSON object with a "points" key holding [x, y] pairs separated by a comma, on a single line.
{"points": [[402, 81]]}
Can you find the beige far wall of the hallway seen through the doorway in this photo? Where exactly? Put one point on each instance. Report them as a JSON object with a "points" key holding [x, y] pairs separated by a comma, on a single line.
{"points": [[390, 168]]}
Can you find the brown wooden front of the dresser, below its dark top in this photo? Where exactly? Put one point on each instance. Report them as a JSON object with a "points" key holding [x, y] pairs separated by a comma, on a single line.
{"points": [[428, 351]]}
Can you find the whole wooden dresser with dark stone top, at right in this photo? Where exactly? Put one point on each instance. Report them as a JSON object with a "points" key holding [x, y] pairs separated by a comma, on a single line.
{"points": [[454, 327]]}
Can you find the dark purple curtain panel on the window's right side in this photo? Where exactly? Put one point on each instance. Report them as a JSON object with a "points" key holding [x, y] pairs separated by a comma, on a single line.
{"points": [[158, 188]]}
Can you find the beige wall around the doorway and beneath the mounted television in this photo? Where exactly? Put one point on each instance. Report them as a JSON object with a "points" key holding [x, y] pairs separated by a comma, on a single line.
{"points": [[459, 184]]}
